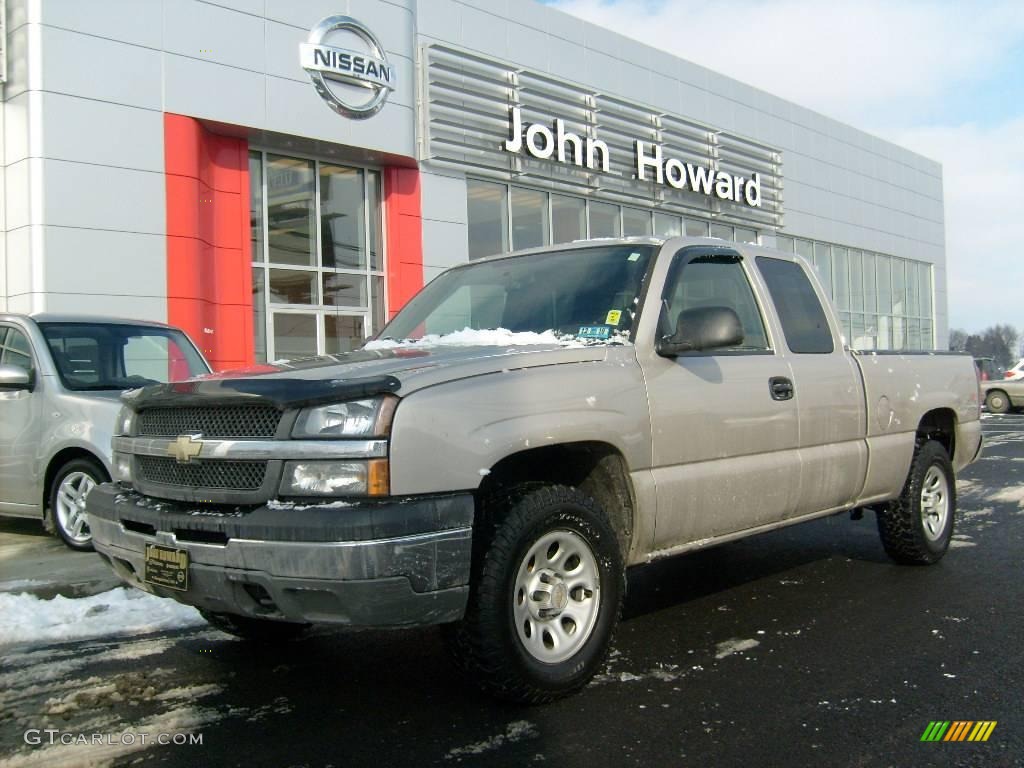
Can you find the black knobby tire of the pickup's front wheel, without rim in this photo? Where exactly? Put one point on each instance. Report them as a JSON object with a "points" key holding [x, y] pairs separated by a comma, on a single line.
{"points": [[487, 645]]}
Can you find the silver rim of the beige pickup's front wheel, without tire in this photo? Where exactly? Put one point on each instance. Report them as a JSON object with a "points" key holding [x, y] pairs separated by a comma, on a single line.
{"points": [[557, 596]]}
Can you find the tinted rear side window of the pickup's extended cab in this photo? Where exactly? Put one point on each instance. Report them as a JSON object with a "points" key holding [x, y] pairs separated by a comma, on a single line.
{"points": [[804, 323]]}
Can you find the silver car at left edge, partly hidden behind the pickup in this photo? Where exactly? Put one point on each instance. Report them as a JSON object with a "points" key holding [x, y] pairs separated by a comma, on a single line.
{"points": [[61, 379]]}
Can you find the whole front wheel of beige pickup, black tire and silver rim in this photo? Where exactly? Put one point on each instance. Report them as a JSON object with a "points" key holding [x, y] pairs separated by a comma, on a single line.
{"points": [[545, 600]]}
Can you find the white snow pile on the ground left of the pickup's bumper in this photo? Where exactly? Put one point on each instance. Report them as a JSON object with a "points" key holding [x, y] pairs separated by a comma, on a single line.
{"points": [[120, 612]]}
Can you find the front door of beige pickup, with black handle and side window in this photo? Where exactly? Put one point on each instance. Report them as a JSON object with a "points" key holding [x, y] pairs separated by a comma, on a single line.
{"points": [[724, 425]]}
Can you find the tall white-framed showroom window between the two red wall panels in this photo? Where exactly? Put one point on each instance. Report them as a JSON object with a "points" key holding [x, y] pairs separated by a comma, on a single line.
{"points": [[317, 255]]}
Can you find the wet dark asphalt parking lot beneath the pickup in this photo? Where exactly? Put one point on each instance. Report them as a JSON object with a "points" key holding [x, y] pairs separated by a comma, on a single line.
{"points": [[805, 647]]}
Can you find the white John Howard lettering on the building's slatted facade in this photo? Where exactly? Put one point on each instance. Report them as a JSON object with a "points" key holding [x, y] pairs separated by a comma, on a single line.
{"points": [[564, 147]]}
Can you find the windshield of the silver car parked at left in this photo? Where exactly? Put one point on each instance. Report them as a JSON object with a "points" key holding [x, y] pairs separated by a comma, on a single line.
{"points": [[110, 356]]}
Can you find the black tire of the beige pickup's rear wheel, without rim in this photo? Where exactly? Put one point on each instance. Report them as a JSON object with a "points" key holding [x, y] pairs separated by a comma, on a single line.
{"points": [[902, 524]]}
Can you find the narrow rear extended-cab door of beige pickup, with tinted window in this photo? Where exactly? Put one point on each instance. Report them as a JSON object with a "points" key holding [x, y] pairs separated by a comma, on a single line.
{"points": [[829, 390]]}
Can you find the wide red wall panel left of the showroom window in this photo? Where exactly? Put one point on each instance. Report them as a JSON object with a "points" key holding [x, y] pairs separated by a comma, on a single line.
{"points": [[209, 277]]}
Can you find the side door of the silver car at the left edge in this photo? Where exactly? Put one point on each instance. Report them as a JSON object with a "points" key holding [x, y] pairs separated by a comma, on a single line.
{"points": [[20, 425]]}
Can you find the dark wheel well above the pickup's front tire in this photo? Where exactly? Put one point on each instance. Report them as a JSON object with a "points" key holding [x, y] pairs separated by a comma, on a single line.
{"points": [[595, 468]]}
